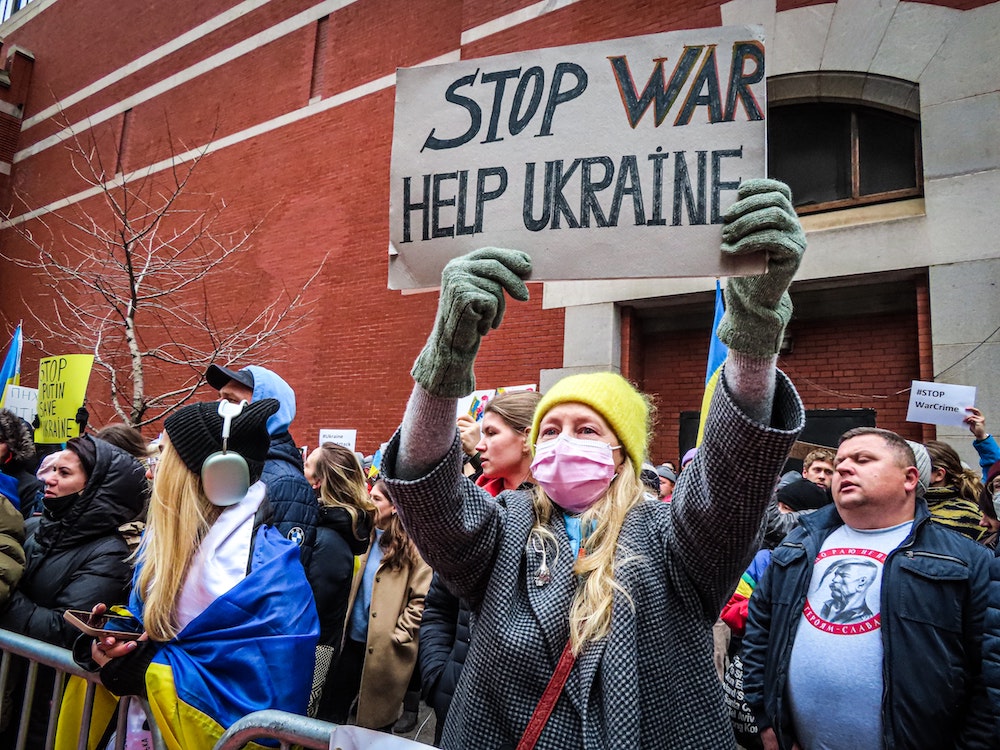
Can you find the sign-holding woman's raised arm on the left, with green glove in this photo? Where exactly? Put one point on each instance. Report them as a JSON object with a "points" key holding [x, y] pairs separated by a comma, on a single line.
{"points": [[453, 523]]}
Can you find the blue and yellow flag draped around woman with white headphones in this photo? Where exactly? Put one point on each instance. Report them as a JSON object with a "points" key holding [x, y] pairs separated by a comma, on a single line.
{"points": [[253, 648]]}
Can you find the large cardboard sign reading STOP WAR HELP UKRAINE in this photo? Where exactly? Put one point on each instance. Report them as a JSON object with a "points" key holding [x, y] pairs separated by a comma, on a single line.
{"points": [[606, 160]]}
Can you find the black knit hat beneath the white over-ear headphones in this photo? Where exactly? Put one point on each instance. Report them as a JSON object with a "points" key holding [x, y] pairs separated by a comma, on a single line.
{"points": [[195, 432]]}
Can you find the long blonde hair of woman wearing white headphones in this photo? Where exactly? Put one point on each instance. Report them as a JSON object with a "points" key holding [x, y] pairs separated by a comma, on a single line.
{"points": [[179, 517]]}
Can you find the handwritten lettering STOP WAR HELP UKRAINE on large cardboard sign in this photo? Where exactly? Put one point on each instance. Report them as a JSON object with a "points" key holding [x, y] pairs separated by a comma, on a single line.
{"points": [[454, 203]]}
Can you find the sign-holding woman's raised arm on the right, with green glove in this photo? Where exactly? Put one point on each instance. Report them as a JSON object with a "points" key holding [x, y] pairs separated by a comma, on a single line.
{"points": [[755, 414]]}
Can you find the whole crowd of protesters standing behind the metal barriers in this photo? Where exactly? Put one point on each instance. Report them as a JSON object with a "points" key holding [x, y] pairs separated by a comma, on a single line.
{"points": [[533, 575]]}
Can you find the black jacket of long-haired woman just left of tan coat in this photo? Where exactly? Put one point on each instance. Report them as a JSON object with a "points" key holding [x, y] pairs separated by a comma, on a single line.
{"points": [[331, 570]]}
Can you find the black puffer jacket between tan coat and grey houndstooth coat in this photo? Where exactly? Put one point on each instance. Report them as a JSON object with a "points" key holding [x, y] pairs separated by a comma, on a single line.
{"points": [[444, 641]]}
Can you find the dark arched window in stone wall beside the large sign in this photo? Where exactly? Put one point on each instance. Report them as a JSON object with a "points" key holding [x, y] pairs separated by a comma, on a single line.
{"points": [[844, 139]]}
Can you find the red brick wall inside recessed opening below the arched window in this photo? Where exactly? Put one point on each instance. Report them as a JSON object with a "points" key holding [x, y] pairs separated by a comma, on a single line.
{"points": [[847, 363]]}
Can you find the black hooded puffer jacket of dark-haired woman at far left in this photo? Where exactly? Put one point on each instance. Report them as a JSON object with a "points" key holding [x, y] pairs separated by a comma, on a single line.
{"points": [[78, 559]]}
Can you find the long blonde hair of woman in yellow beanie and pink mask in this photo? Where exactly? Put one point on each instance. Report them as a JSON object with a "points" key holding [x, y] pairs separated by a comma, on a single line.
{"points": [[590, 612]]}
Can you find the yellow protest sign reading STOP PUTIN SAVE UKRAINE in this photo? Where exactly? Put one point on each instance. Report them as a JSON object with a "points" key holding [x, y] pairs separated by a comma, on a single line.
{"points": [[62, 388]]}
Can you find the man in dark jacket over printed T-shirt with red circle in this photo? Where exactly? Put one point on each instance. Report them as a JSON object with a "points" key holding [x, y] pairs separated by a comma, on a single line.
{"points": [[904, 670]]}
